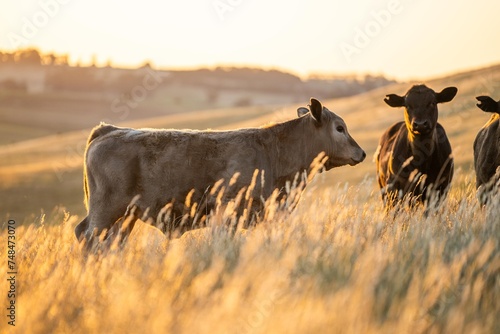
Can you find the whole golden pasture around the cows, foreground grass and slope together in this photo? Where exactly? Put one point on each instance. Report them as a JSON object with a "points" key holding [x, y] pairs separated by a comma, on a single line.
{"points": [[337, 264]]}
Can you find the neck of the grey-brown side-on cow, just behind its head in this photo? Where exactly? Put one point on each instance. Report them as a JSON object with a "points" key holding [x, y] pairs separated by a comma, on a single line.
{"points": [[292, 147]]}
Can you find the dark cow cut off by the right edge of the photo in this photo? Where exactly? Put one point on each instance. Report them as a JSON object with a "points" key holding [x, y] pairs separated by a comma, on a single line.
{"points": [[486, 151]]}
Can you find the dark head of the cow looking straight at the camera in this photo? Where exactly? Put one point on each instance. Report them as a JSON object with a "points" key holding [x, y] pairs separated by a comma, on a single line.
{"points": [[420, 104]]}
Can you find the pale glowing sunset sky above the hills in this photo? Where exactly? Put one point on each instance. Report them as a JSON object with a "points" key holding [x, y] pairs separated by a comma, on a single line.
{"points": [[401, 39]]}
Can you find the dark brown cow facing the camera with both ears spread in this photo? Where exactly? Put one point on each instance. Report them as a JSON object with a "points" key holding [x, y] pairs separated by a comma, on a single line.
{"points": [[414, 156]]}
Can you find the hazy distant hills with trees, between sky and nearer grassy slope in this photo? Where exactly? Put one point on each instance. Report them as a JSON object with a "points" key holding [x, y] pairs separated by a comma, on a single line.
{"points": [[41, 94]]}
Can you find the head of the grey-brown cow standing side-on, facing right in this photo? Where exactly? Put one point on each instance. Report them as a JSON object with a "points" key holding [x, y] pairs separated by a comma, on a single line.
{"points": [[330, 135]]}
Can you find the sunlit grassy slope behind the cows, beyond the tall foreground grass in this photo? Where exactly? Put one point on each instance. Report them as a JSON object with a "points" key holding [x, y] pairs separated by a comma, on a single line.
{"points": [[44, 172]]}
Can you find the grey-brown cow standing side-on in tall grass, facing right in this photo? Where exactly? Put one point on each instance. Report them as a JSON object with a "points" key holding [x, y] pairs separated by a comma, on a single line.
{"points": [[160, 168]]}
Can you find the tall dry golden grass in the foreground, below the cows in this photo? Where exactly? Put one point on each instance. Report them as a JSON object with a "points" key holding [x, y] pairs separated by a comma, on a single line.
{"points": [[337, 264]]}
